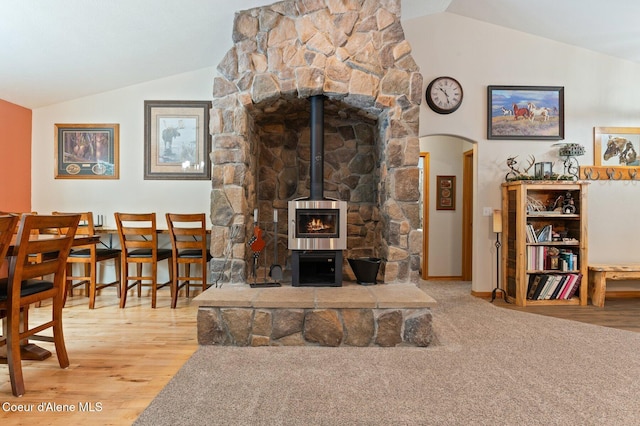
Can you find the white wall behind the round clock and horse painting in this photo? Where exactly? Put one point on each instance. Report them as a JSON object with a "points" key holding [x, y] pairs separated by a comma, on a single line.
{"points": [[599, 91]]}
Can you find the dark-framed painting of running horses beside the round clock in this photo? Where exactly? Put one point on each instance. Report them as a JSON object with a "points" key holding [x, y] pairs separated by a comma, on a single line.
{"points": [[525, 112]]}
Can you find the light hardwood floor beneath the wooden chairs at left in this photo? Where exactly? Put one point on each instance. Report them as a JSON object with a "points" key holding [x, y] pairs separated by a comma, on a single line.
{"points": [[120, 360]]}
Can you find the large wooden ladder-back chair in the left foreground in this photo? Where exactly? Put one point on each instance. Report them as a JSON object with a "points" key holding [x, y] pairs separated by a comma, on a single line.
{"points": [[25, 286]]}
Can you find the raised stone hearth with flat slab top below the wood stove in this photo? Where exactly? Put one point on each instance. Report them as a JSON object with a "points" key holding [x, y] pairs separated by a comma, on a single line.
{"points": [[352, 315]]}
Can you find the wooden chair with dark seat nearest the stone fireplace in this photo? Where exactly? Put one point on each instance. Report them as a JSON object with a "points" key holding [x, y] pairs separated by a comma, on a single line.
{"points": [[188, 234]]}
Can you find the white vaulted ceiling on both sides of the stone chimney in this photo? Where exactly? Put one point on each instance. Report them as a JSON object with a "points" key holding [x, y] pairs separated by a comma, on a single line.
{"points": [[58, 50]]}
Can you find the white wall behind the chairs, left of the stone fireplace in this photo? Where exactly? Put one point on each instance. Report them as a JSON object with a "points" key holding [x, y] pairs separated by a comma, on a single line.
{"points": [[131, 193]]}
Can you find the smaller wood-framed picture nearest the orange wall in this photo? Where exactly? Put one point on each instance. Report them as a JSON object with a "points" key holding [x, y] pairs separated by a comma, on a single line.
{"points": [[87, 151]]}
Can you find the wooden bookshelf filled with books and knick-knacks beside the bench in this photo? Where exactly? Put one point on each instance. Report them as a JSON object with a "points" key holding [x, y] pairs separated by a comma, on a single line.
{"points": [[561, 207]]}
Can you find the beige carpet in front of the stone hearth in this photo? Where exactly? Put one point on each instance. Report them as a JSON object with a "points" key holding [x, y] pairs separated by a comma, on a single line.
{"points": [[490, 366]]}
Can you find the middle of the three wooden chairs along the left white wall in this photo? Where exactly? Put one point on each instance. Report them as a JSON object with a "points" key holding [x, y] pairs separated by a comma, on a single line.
{"points": [[139, 244]]}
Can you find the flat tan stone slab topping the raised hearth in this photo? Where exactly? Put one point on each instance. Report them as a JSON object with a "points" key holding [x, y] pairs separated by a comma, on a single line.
{"points": [[349, 296]]}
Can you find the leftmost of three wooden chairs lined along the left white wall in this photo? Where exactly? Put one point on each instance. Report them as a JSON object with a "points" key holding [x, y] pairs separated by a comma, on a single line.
{"points": [[89, 257]]}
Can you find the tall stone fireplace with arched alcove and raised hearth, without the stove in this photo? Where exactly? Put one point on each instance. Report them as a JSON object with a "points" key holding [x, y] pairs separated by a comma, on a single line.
{"points": [[354, 53]]}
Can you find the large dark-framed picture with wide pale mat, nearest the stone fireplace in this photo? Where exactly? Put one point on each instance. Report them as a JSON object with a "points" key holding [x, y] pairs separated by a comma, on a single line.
{"points": [[177, 141]]}
